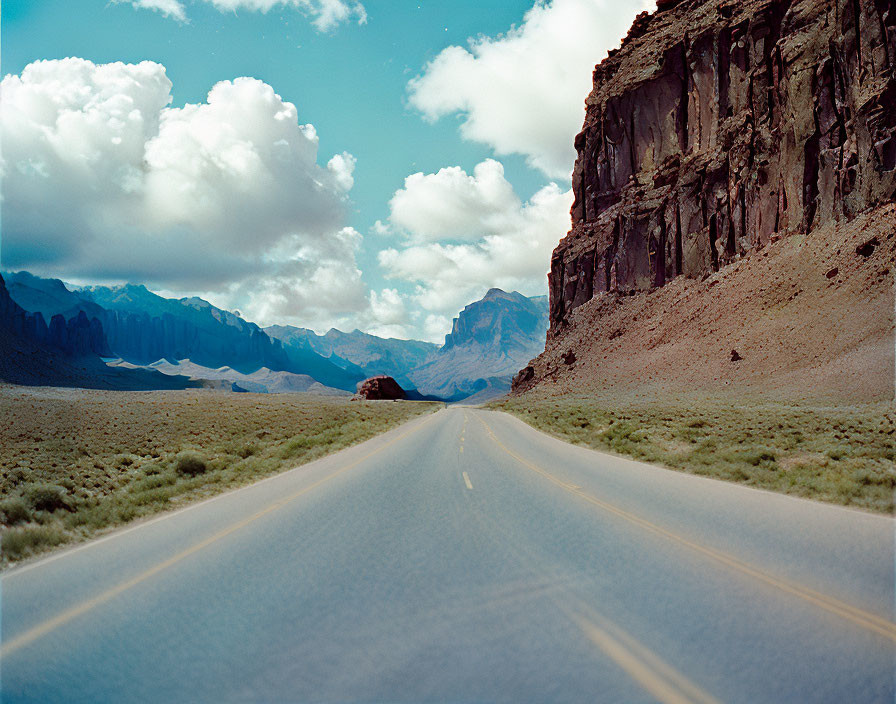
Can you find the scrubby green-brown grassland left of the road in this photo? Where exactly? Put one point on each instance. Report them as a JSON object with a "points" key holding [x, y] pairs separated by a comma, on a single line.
{"points": [[74, 463]]}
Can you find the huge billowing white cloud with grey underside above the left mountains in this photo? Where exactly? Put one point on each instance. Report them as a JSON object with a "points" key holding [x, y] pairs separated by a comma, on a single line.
{"points": [[104, 181]]}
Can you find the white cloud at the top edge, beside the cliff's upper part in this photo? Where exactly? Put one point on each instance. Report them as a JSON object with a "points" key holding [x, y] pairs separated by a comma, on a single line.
{"points": [[523, 92]]}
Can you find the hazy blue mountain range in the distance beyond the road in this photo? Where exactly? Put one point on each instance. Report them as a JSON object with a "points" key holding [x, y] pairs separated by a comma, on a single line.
{"points": [[490, 341]]}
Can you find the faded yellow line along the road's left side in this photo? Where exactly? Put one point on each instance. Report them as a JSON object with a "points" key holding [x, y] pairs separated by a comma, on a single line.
{"points": [[61, 619]]}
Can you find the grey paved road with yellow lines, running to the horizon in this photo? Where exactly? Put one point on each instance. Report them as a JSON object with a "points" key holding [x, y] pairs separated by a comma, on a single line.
{"points": [[465, 557]]}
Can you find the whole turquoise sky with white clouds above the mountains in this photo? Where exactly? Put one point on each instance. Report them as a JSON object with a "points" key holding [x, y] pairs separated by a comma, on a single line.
{"points": [[321, 163]]}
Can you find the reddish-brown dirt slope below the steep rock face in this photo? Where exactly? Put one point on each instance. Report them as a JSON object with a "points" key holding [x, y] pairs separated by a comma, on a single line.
{"points": [[811, 316]]}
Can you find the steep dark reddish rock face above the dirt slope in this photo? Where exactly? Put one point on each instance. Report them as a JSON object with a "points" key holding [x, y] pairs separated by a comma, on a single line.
{"points": [[719, 127]]}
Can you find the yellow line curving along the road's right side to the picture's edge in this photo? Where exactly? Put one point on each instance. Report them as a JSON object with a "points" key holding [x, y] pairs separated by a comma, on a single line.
{"points": [[858, 616]]}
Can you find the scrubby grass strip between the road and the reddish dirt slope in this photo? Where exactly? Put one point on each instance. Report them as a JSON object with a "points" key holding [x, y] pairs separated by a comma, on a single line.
{"points": [[843, 455]]}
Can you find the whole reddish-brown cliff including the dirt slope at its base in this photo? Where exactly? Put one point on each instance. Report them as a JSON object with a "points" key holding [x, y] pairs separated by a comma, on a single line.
{"points": [[734, 225]]}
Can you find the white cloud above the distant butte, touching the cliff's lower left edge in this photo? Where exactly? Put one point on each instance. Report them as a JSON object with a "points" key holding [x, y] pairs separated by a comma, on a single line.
{"points": [[508, 243]]}
